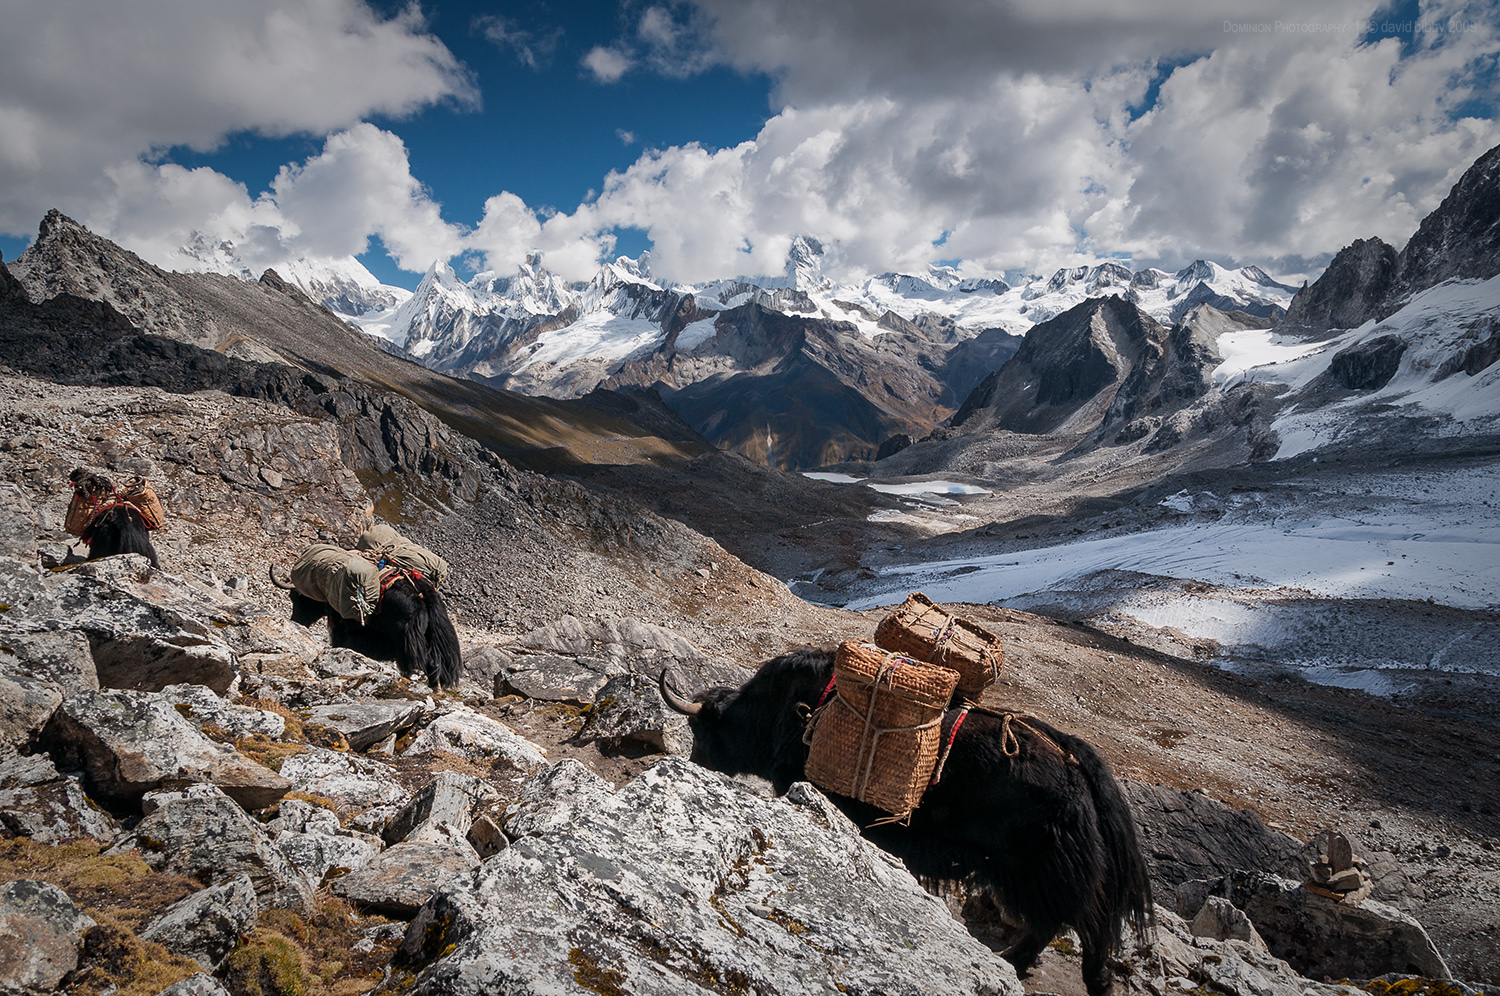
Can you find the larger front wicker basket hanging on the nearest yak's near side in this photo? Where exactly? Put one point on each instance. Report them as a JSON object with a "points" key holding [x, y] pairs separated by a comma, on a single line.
{"points": [[878, 739]]}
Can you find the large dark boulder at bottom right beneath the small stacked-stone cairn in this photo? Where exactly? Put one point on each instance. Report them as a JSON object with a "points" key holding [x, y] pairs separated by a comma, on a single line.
{"points": [[1324, 938]]}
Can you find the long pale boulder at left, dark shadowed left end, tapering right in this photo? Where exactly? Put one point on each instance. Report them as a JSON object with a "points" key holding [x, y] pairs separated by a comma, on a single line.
{"points": [[130, 743]]}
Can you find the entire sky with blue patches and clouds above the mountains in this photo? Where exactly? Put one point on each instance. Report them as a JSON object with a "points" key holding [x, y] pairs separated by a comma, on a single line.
{"points": [[994, 134]]}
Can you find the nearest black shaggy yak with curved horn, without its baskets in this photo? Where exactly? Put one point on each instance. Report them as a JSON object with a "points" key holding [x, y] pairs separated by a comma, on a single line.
{"points": [[1039, 821]]}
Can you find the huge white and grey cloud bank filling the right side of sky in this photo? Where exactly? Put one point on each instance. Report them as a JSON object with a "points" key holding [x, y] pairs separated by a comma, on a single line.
{"points": [[1016, 136]]}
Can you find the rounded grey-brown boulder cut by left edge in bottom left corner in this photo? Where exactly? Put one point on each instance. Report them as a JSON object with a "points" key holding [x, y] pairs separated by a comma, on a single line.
{"points": [[41, 932]]}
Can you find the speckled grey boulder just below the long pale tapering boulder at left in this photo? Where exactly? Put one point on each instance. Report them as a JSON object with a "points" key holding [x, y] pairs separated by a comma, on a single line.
{"points": [[215, 841]]}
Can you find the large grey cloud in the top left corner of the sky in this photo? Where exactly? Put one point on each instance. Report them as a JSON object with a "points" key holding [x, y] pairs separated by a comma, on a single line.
{"points": [[89, 89]]}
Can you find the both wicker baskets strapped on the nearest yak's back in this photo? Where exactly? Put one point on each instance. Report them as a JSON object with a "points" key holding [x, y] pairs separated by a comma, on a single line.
{"points": [[880, 739]]}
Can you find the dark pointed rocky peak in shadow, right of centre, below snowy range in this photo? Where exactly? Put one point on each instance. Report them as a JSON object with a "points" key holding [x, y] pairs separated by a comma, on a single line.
{"points": [[1067, 371]]}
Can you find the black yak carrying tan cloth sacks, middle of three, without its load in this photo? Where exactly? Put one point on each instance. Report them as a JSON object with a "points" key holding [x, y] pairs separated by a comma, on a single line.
{"points": [[410, 626]]}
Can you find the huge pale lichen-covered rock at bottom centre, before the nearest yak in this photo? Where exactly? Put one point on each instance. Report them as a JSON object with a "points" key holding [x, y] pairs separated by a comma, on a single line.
{"points": [[680, 883]]}
